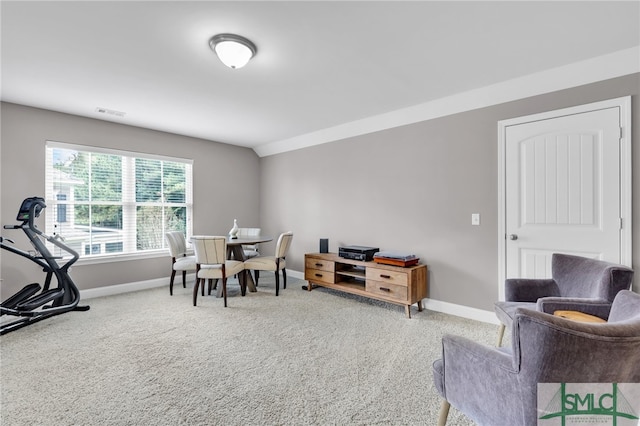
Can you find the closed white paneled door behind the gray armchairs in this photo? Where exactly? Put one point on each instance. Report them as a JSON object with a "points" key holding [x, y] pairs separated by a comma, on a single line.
{"points": [[563, 188]]}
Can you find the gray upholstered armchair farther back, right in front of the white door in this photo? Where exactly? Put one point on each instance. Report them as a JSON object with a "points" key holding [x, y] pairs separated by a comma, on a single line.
{"points": [[577, 284]]}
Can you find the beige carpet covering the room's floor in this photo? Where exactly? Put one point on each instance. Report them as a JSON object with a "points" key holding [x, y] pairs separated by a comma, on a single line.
{"points": [[303, 358]]}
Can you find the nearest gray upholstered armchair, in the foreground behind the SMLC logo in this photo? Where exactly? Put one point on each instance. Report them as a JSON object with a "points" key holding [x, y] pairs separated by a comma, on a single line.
{"points": [[498, 386]]}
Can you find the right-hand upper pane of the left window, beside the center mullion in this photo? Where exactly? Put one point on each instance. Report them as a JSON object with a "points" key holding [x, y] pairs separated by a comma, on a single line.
{"points": [[106, 177]]}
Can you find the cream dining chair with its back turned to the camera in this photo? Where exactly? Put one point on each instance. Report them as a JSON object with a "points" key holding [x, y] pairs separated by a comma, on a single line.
{"points": [[212, 264]]}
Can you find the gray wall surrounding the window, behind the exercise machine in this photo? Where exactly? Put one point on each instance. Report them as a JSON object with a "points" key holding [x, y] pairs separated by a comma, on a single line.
{"points": [[219, 171]]}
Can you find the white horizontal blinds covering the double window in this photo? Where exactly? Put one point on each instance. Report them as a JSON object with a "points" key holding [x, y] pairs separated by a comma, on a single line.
{"points": [[108, 203]]}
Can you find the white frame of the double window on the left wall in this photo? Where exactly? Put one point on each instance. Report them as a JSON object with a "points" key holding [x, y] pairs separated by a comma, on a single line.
{"points": [[128, 201]]}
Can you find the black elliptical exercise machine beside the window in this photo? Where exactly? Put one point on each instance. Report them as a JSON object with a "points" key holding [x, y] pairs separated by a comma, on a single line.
{"points": [[30, 303]]}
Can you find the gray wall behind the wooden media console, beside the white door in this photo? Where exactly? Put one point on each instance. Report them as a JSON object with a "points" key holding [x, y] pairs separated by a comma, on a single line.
{"points": [[414, 188]]}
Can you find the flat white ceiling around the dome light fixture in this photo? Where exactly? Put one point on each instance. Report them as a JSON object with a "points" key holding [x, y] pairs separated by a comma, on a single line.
{"points": [[319, 64]]}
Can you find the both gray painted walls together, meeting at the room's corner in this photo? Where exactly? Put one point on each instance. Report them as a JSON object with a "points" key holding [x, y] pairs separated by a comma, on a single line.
{"points": [[410, 188]]}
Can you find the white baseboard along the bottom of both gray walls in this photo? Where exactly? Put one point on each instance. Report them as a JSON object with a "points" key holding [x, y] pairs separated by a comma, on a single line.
{"points": [[431, 304]]}
